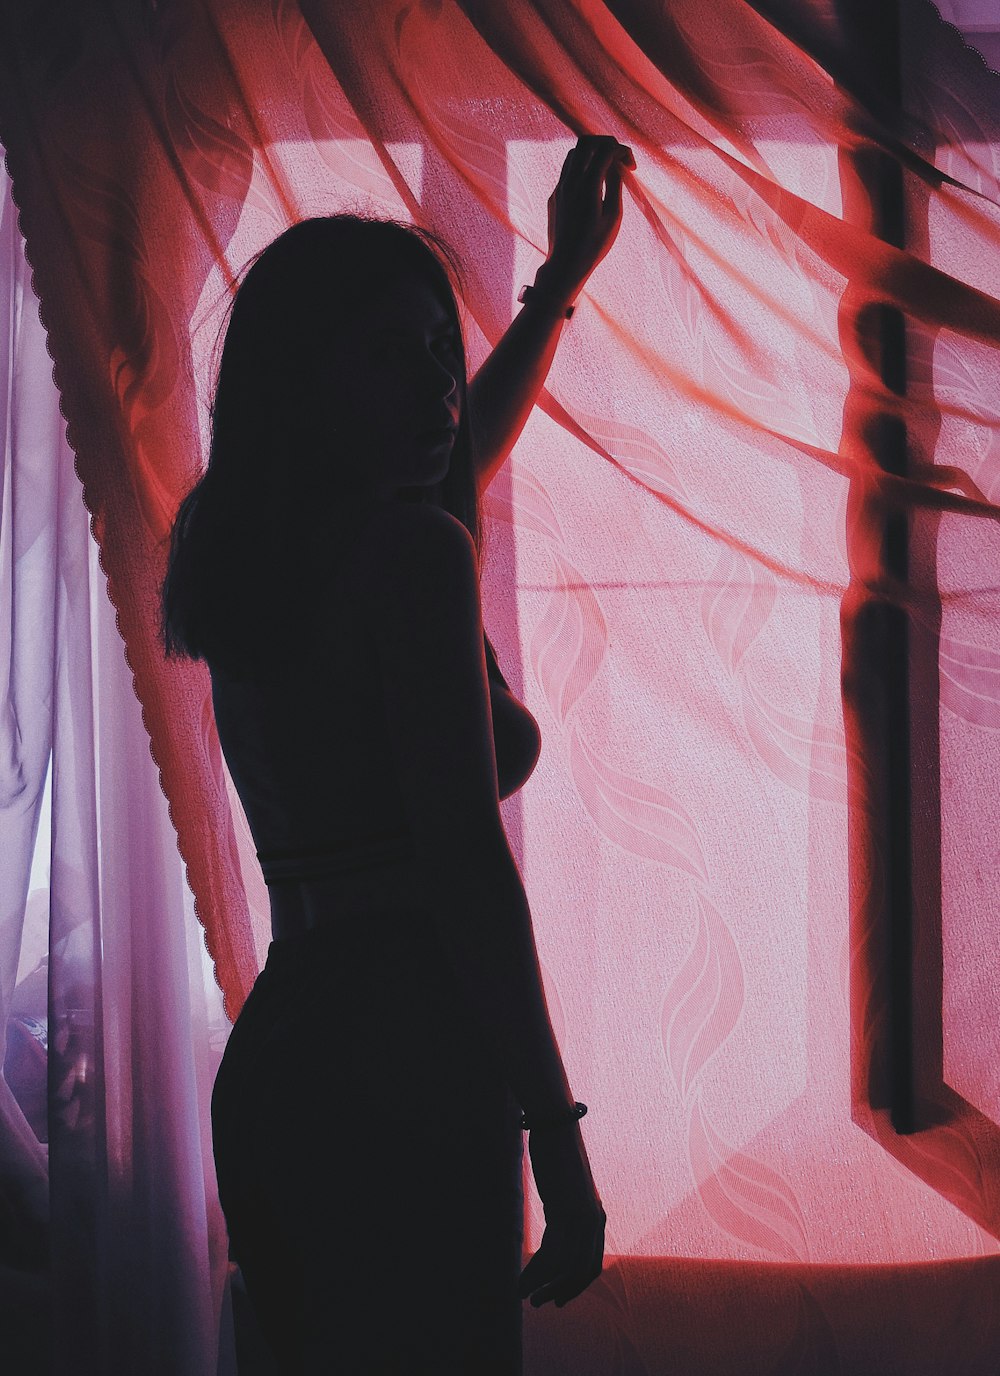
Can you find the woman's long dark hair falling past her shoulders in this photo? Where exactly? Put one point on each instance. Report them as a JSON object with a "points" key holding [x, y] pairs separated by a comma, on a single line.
{"points": [[237, 574]]}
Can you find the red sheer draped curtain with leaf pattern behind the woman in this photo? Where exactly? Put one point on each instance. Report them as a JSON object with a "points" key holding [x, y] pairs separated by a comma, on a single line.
{"points": [[749, 536]]}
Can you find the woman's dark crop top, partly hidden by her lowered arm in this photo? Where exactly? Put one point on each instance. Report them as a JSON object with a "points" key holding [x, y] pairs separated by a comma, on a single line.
{"points": [[310, 755]]}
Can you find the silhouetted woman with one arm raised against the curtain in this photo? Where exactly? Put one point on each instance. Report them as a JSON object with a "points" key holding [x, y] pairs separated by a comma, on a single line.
{"points": [[368, 1111]]}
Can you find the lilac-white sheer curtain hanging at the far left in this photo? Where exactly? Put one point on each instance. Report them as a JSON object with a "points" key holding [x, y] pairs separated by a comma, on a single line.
{"points": [[107, 967]]}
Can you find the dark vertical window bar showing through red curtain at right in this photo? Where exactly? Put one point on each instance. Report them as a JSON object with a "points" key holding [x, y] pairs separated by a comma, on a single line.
{"points": [[878, 646]]}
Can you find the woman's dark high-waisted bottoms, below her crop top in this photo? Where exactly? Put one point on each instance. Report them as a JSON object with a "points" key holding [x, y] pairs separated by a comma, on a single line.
{"points": [[369, 1159]]}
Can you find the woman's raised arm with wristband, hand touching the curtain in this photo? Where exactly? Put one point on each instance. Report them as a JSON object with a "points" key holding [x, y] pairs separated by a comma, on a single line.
{"points": [[584, 221]]}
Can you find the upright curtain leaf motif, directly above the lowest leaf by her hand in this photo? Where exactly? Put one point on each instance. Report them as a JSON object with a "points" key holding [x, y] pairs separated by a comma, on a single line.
{"points": [[705, 1001]]}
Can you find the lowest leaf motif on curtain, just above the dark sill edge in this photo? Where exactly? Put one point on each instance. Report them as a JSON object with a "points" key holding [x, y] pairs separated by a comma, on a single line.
{"points": [[748, 1199]]}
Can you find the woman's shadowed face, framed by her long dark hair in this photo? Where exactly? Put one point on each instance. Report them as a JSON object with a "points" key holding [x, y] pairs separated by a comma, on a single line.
{"points": [[395, 389]]}
